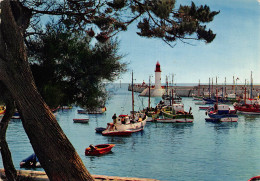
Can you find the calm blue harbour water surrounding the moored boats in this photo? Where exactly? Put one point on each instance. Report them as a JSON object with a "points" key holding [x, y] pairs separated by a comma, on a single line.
{"points": [[198, 151]]}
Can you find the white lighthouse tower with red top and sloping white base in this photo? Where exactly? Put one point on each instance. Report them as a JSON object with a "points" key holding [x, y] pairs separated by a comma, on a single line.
{"points": [[157, 91]]}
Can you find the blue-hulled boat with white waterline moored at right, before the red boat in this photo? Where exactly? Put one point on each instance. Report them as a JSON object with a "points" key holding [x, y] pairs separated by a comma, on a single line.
{"points": [[221, 113]]}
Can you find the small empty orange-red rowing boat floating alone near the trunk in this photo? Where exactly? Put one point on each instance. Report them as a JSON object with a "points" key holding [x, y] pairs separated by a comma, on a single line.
{"points": [[98, 149]]}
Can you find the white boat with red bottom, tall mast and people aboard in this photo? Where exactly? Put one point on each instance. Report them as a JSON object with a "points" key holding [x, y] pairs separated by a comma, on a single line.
{"points": [[124, 124]]}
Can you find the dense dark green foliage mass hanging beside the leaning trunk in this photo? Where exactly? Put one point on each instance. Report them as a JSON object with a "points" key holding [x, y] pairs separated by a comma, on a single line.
{"points": [[69, 68]]}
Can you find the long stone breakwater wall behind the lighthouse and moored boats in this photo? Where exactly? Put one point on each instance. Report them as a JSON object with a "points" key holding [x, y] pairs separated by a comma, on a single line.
{"points": [[189, 91]]}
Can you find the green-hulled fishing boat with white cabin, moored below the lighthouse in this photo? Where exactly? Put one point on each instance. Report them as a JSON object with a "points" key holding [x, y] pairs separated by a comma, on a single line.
{"points": [[174, 114]]}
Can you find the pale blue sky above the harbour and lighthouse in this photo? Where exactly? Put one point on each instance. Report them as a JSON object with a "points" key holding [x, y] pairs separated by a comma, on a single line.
{"points": [[234, 52]]}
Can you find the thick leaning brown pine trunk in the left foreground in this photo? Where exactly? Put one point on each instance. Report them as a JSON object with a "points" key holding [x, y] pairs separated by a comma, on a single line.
{"points": [[55, 152]]}
